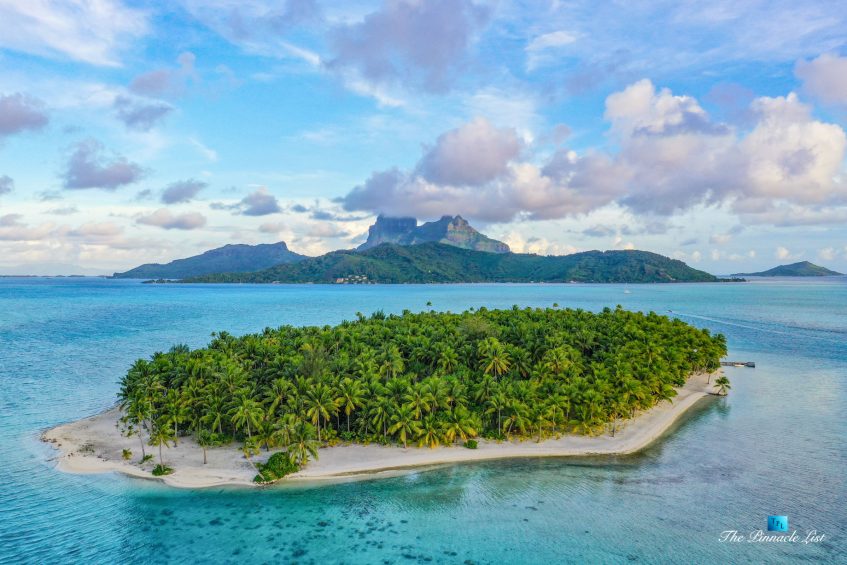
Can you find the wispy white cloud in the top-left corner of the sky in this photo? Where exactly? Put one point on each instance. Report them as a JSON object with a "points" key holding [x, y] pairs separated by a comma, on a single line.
{"points": [[82, 30]]}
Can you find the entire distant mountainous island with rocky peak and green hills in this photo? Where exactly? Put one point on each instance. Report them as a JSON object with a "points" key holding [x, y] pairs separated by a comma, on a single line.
{"points": [[398, 250]]}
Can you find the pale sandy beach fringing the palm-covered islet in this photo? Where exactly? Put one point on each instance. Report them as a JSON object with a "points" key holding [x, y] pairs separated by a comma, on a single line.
{"points": [[94, 445]]}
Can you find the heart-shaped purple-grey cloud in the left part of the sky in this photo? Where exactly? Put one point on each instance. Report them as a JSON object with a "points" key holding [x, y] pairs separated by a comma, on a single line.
{"points": [[88, 167]]}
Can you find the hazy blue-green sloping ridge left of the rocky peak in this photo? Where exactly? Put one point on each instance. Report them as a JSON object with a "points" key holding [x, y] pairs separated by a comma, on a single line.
{"points": [[238, 258]]}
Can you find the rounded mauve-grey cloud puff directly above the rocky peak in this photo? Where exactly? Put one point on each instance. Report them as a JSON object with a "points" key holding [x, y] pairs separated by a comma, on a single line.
{"points": [[473, 154]]}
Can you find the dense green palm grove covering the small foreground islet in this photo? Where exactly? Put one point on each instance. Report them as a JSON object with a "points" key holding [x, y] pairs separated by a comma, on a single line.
{"points": [[425, 379]]}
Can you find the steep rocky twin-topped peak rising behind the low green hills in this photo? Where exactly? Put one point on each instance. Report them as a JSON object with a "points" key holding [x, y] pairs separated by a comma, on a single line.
{"points": [[450, 230]]}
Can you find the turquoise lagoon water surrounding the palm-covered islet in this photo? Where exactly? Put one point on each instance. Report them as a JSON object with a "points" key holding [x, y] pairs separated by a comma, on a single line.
{"points": [[776, 445]]}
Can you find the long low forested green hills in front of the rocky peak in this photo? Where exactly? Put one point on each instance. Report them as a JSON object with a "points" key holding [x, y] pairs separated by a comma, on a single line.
{"points": [[441, 263]]}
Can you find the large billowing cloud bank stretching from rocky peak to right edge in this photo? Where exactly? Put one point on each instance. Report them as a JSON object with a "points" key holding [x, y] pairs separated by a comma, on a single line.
{"points": [[669, 155]]}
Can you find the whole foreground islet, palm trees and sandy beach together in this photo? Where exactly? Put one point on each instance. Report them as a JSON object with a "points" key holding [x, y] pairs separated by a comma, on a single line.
{"points": [[391, 392]]}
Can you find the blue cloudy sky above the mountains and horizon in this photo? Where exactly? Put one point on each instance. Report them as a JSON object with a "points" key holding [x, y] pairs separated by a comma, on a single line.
{"points": [[134, 132]]}
